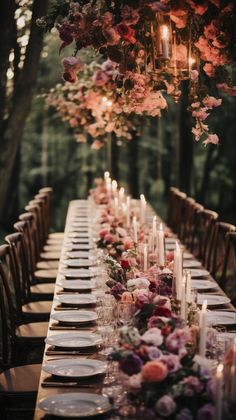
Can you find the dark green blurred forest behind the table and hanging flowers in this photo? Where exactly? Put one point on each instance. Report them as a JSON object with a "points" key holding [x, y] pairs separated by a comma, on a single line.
{"points": [[38, 149]]}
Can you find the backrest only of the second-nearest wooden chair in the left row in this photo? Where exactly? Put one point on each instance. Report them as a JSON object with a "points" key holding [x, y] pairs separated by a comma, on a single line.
{"points": [[18, 254]]}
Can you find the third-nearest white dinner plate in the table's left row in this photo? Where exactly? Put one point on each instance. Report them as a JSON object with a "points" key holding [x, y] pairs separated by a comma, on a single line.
{"points": [[77, 339]]}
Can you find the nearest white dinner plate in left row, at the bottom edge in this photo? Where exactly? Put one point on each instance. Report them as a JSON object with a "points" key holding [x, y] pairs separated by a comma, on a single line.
{"points": [[75, 404]]}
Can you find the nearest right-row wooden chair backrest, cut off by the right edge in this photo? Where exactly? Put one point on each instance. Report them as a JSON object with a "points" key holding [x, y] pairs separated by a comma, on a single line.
{"points": [[228, 277]]}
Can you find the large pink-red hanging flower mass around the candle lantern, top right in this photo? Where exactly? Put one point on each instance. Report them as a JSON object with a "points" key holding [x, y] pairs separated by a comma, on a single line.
{"points": [[156, 45]]}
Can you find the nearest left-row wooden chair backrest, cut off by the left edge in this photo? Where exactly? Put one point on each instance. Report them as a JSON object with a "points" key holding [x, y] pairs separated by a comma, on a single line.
{"points": [[8, 318]]}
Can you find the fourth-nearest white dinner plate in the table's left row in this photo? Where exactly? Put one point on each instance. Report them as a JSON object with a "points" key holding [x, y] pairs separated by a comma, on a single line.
{"points": [[75, 317]]}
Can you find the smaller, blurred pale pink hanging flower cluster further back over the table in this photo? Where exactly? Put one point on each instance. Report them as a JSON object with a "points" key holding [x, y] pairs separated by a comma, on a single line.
{"points": [[93, 105]]}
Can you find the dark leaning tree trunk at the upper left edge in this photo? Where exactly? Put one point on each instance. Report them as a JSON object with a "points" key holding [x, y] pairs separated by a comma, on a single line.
{"points": [[21, 103]]}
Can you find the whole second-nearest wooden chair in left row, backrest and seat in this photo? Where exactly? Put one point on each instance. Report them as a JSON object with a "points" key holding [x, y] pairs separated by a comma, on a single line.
{"points": [[26, 308]]}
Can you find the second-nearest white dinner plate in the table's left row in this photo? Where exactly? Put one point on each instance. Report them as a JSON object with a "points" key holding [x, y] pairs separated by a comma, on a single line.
{"points": [[75, 368]]}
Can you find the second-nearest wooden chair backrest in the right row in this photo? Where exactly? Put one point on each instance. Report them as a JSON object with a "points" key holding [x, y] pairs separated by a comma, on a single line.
{"points": [[219, 248]]}
